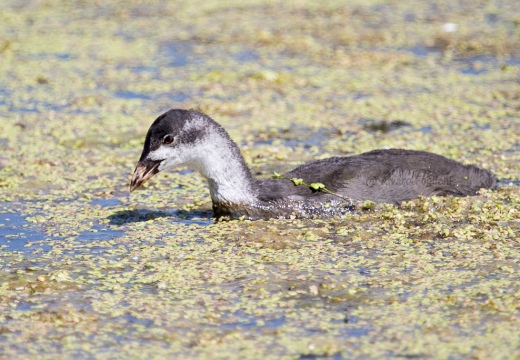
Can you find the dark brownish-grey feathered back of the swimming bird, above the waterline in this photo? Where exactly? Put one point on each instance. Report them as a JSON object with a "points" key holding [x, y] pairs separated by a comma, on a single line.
{"points": [[393, 176]]}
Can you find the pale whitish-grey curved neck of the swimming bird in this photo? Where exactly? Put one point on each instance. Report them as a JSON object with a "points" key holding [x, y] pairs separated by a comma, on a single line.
{"points": [[222, 164]]}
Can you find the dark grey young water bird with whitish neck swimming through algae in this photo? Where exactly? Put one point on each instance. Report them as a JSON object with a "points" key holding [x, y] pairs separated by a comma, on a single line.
{"points": [[323, 188]]}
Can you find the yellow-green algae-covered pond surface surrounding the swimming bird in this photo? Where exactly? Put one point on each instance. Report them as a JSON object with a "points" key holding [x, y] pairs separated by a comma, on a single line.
{"points": [[151, 275]]}
